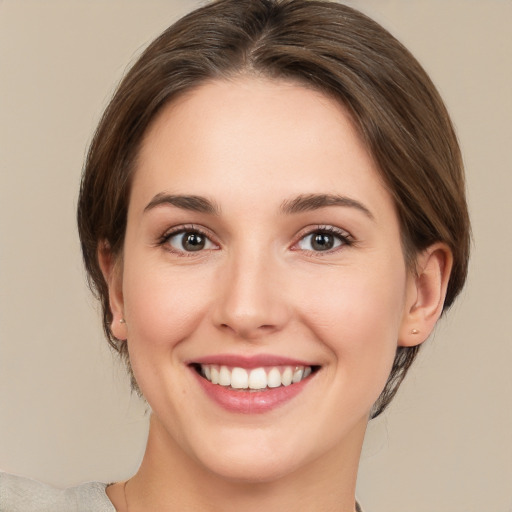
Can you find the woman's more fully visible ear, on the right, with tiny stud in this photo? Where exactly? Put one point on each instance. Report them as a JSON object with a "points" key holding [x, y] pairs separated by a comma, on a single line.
{"points": [[426, 291]]}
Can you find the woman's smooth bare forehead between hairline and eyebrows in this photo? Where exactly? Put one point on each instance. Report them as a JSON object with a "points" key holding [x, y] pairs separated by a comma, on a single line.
{"points": [[247, 134]]}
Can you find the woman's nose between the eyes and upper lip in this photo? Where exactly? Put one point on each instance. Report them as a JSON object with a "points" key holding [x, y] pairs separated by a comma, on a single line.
{"points": [[251, 302]]}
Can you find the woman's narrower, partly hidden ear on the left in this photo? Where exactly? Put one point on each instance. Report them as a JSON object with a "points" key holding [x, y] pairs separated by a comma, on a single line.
{"points": [[111, 268]]}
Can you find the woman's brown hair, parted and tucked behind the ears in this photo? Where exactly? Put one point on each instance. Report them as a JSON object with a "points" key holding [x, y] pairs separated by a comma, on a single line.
{"points": [[324, 45]]}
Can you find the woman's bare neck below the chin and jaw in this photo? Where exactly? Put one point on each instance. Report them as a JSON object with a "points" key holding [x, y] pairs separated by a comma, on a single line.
{"points": [[170, 479]]}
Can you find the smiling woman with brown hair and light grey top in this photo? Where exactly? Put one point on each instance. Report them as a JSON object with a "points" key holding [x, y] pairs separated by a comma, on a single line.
{"points": [[272, 213]]}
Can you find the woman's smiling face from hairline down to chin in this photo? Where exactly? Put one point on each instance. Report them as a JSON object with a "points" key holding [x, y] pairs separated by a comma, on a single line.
{"points": [[263, 282]]}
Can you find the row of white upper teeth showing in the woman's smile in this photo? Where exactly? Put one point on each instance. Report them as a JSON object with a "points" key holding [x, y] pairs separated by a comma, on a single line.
{"points": [[255, 379]]}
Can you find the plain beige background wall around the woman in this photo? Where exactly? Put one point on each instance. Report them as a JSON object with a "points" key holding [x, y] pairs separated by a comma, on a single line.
{"points": [[66, 414]]}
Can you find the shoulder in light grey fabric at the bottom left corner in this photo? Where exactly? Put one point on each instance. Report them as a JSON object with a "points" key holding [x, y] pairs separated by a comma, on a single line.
{"points": [[19, 494]]}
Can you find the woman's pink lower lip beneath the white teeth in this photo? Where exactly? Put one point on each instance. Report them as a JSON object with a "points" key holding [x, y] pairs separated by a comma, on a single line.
{"points": [[250, 402]]}
